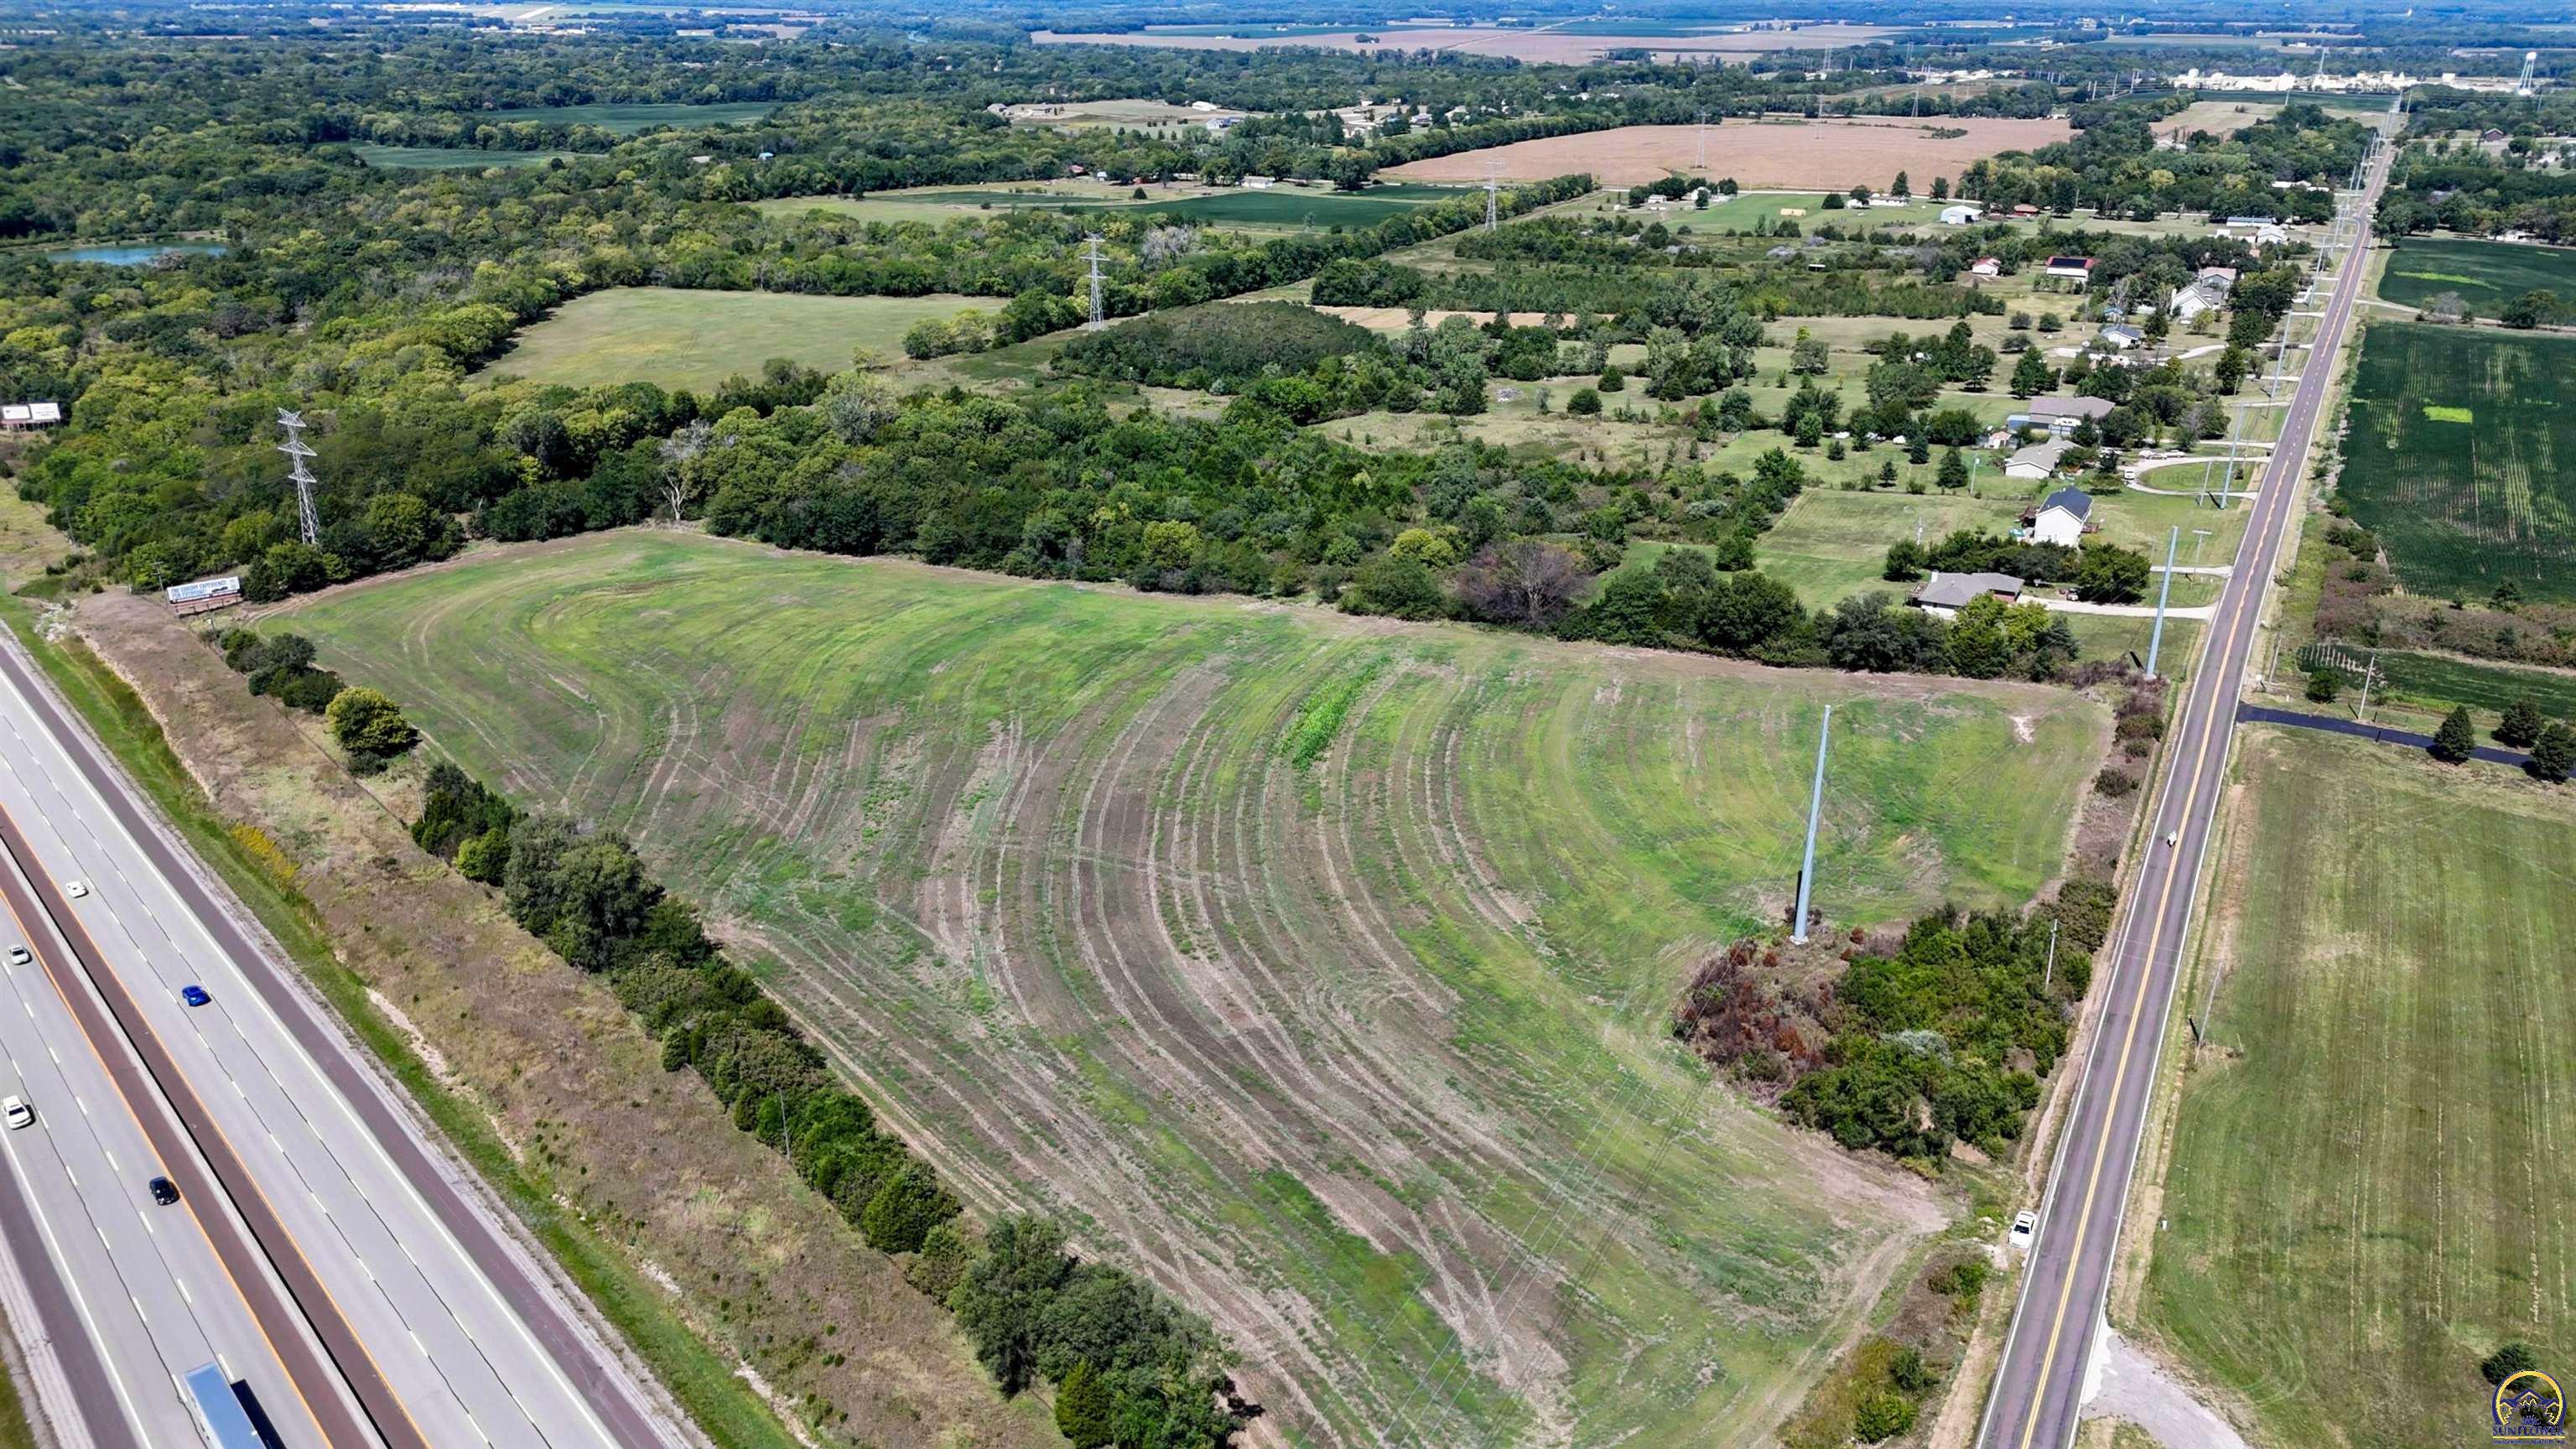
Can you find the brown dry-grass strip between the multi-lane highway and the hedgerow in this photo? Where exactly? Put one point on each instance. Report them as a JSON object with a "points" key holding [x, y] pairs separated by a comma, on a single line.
{"points": [[568, 1079]]}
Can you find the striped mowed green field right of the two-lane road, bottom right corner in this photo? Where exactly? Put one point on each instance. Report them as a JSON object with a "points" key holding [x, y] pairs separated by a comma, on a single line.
{"points": [[2371, 1174]]}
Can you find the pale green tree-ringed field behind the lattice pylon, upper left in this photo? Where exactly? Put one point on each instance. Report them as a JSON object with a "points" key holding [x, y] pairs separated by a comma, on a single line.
{"points": [[699, 339]]}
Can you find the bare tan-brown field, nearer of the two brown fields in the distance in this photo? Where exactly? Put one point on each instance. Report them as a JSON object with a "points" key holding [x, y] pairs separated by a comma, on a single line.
{"points": [[1797, 156]]}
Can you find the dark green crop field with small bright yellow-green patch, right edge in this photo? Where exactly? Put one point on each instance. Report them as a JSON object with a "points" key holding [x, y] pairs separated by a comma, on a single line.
{"points": [[2464, 460]]}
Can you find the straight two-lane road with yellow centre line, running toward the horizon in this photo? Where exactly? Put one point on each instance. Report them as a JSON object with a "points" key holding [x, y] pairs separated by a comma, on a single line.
{"points": [[2039, 1388]]}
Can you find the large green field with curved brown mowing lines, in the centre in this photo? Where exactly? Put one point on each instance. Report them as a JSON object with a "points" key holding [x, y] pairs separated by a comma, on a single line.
{"points": [[1320, 968]]}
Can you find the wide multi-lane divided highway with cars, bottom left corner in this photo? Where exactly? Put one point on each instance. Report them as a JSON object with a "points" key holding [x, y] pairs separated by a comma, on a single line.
{"points": [[321, 1249]]}
